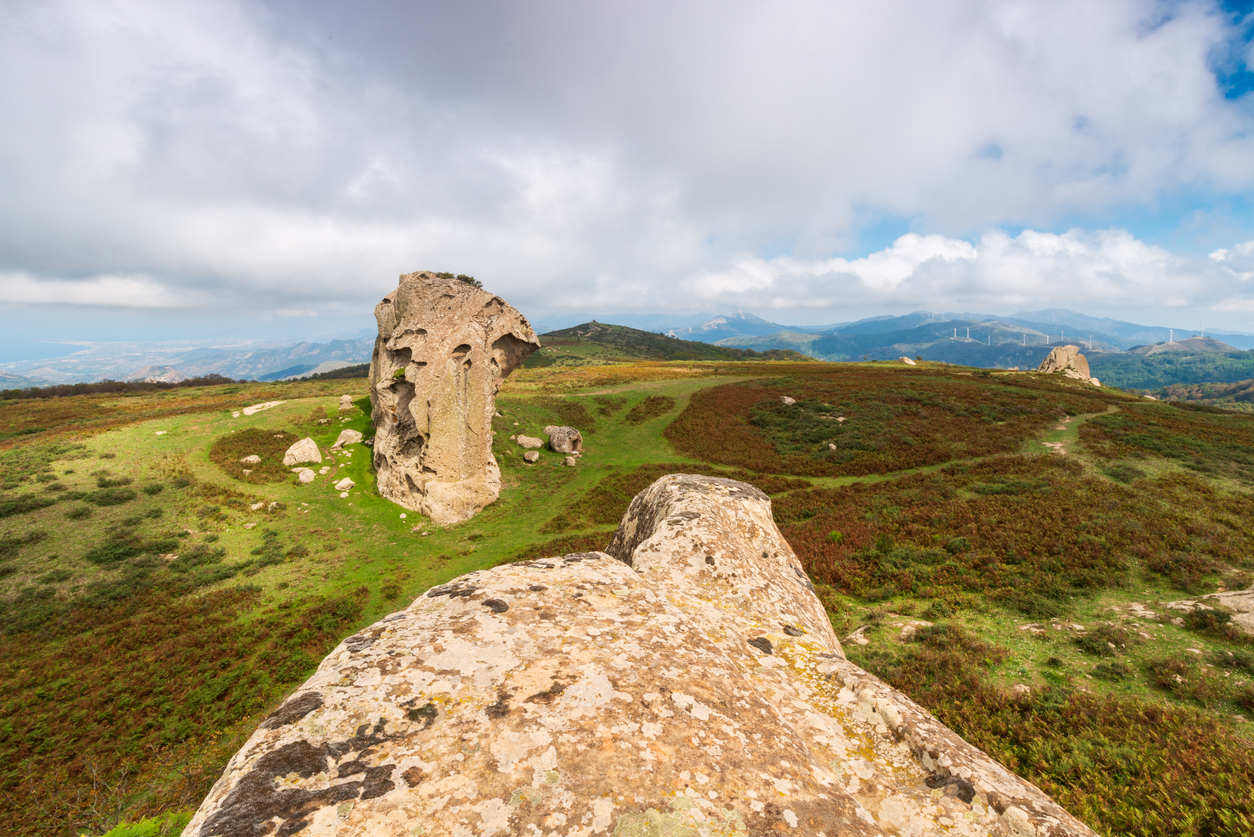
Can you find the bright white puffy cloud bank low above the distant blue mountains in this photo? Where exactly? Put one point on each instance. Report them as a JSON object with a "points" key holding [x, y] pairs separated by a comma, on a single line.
{"points": [[1107, 269]]}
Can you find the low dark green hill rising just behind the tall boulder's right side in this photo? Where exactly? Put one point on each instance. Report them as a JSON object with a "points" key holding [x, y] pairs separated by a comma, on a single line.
{"points": [[603, 343]]}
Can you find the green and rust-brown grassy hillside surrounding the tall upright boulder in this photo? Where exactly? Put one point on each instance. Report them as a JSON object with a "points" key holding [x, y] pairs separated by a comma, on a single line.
{"points": [[1033, 533]]}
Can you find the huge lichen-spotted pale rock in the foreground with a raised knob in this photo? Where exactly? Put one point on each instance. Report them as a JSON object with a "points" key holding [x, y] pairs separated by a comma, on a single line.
{"points": [[687, 683]]}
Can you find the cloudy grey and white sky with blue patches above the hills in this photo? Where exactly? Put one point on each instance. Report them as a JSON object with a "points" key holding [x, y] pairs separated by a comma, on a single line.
{"points": [[228, 166]]}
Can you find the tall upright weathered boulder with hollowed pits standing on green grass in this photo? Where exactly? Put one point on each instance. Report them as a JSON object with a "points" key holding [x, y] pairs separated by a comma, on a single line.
{"points": [[443, 349]]}
